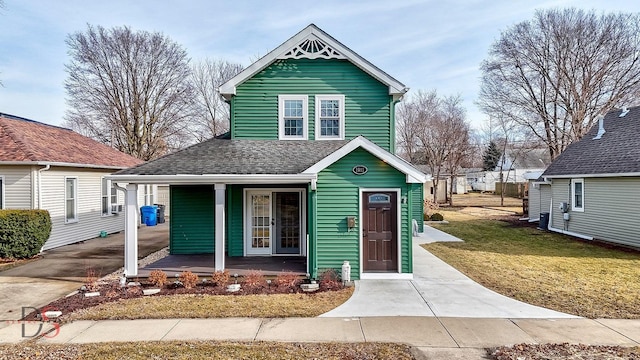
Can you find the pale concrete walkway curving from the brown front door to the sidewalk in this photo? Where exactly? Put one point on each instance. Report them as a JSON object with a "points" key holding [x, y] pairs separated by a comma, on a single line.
{"points": [[437, 289]]}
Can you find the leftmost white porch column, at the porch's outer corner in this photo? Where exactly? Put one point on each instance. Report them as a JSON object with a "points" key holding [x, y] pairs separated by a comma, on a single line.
{"points": [[131, 231]]}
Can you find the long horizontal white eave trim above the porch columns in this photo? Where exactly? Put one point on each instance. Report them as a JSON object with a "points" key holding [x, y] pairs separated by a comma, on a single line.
{"points": [[185, 179]]}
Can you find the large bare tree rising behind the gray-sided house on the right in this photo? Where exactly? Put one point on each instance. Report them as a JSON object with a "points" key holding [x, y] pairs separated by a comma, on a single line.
{"points": [[555, 74]]}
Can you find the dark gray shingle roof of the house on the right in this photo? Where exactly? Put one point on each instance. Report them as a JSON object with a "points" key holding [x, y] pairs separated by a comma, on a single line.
{"points": [[617, 152]]}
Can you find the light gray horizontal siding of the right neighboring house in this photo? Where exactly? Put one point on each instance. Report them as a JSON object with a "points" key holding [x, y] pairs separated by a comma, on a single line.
{"points": [[611, 209]]}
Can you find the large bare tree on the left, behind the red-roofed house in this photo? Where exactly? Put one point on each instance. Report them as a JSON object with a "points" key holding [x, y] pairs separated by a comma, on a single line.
{"points": [[128, 89]]}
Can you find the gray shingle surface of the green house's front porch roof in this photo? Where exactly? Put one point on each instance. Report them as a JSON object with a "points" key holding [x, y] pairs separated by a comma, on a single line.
{"points": [[224, 156]]}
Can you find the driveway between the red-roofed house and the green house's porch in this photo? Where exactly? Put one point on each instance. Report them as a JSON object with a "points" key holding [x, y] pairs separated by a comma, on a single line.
{"points": [[62, 270]]}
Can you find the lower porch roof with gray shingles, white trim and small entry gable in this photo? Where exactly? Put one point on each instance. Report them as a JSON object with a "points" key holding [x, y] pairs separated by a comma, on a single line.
{"points": [[240, 160]]}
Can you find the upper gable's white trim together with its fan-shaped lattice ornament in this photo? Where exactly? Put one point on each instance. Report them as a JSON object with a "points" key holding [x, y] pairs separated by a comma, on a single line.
{"points": [[312, 43]]}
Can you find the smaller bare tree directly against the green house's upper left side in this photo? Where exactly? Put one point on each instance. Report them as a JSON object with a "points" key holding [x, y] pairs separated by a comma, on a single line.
{"points": [[211, 112]]}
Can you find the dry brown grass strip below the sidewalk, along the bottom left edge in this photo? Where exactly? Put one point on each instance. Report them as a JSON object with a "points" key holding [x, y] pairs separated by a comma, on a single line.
{"points": [[207, 350]]}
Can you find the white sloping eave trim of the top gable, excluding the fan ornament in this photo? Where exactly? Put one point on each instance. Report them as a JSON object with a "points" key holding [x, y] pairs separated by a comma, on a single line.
{"points": [[396, 88]]}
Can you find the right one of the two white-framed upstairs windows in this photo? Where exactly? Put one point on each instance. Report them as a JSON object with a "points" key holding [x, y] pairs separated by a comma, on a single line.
{"points": [[329, 117]]}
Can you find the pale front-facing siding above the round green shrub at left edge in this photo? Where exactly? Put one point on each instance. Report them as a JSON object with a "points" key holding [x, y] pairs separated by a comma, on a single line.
{"points": [[17, 186]]}
